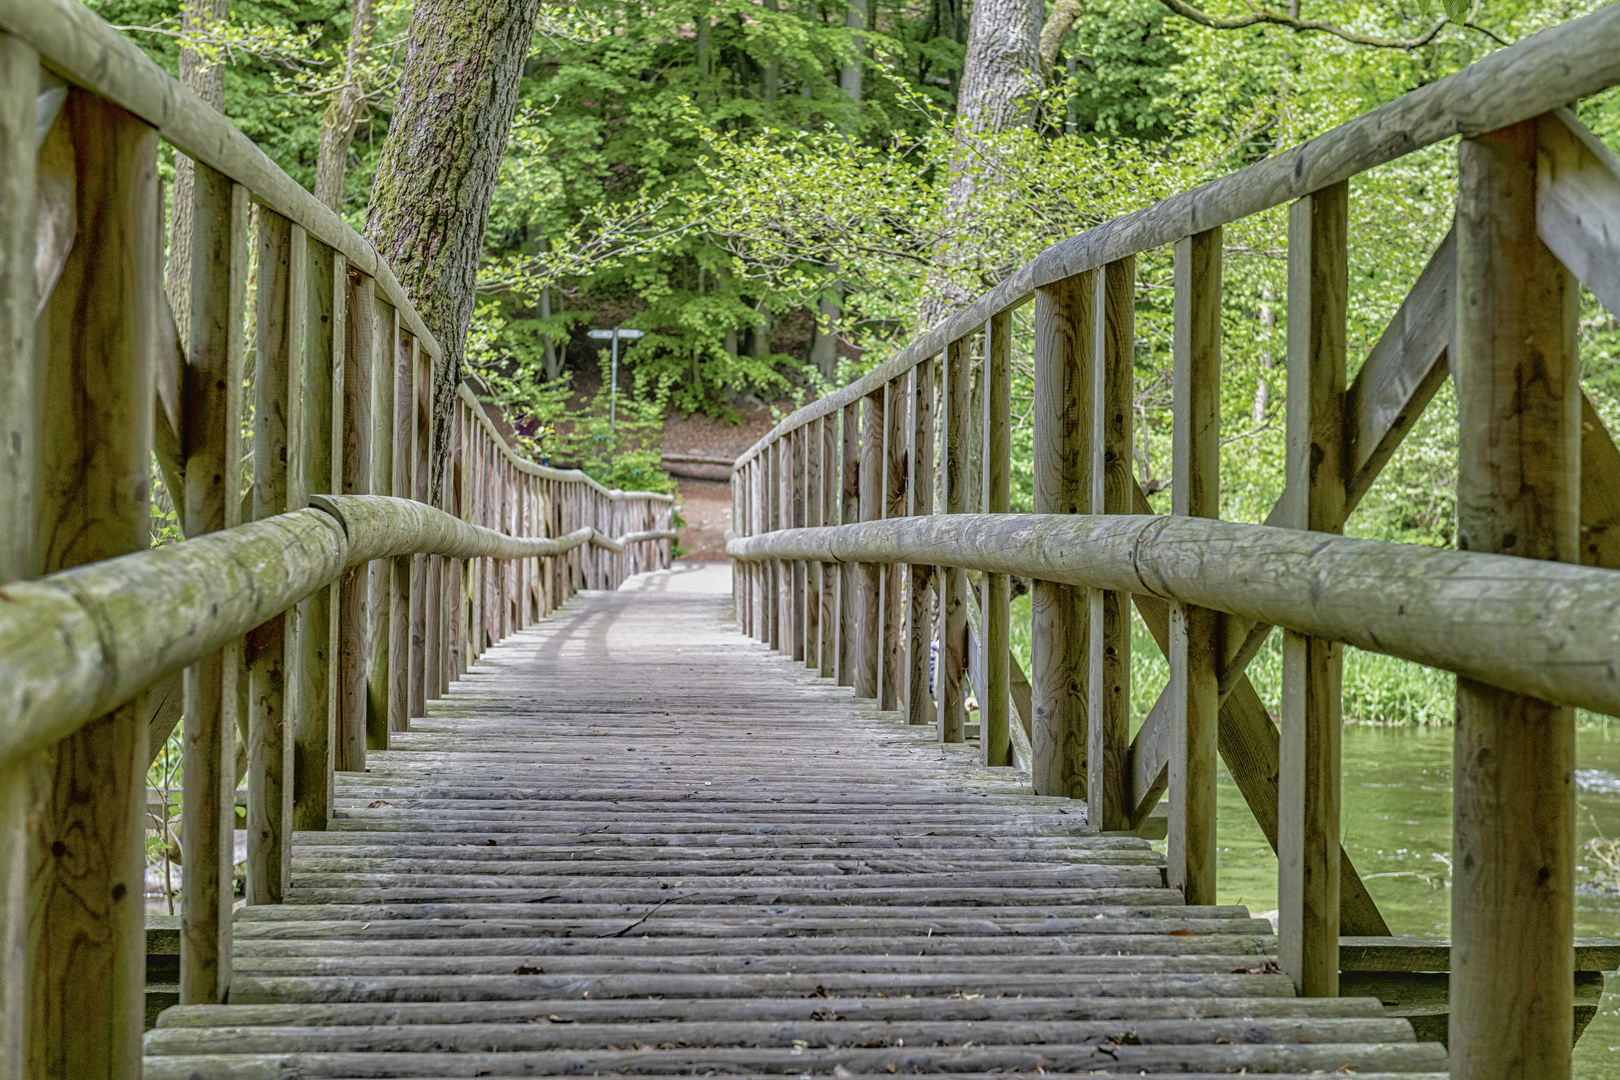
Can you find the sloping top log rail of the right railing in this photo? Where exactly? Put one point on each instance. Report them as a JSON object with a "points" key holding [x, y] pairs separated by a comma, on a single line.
{"points": [[1530, 79]]}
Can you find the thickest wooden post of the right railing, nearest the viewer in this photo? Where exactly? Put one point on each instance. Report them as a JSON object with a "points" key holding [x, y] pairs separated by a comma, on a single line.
{"points": [[1519, 472]]}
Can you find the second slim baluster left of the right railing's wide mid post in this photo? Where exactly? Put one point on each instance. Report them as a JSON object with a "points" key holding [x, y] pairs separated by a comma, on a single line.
{"points": [[953, 582]]}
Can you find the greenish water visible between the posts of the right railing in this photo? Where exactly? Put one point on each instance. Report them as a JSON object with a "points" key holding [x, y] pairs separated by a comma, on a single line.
{"points": [[1397, 825]]}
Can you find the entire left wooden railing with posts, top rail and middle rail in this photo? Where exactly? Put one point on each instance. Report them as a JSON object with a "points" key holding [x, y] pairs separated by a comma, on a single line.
{"points": [[326, 590]]}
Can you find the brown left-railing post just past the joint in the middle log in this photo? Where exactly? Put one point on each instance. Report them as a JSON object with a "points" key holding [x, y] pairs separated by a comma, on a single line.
{"points": [[354, 595]]}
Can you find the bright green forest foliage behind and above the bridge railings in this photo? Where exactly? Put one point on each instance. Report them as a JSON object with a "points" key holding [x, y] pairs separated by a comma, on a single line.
{"points": [[765, 190]]}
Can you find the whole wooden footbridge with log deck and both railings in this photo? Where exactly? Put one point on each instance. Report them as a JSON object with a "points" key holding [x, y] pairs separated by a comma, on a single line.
{"points": [[522, 799]]}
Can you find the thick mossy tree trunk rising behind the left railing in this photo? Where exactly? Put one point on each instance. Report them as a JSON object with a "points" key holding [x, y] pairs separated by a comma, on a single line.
{"points": [[430, 203]]}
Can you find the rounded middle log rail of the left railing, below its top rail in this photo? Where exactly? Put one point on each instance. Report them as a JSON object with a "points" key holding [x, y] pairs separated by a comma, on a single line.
{"points": [[79, 644]]}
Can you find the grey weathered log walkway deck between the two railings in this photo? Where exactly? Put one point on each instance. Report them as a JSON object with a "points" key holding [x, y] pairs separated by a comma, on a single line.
{"points": [[633, 841]]}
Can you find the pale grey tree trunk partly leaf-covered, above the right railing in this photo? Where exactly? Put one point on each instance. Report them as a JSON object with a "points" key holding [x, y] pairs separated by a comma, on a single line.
{"points": [[1000, 72]]}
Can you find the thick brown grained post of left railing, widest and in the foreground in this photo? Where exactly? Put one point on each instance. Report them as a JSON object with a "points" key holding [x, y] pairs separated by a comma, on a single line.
{"points": [[98, 333]]}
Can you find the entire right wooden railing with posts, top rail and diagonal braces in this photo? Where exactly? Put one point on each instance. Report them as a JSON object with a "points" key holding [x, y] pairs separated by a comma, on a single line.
{"points": [[856, 540]]}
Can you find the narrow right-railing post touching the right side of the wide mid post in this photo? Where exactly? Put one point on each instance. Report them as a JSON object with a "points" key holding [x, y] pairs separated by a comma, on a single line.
{"points": [[1109, 755]]}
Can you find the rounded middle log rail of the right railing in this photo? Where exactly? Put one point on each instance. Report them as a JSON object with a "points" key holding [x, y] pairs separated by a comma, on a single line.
{"points": [[1545, 629]]}
